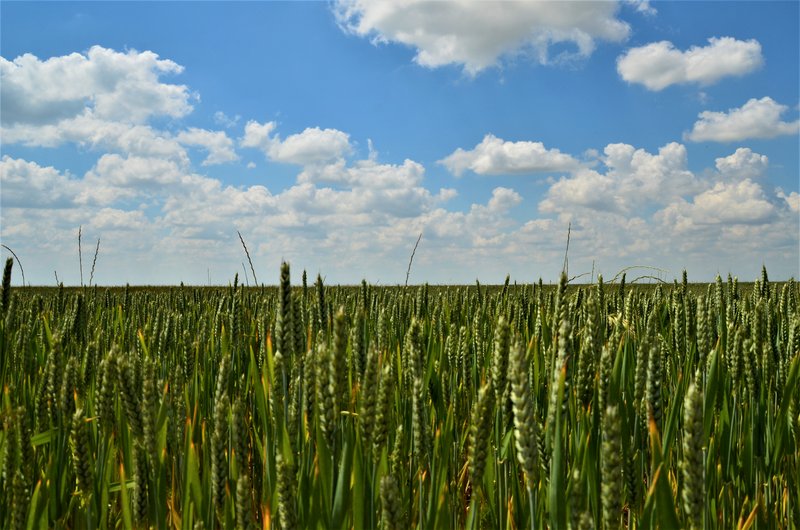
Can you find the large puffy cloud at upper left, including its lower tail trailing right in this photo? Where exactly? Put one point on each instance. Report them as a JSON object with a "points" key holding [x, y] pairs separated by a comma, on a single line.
{"points": [[102, 100]]}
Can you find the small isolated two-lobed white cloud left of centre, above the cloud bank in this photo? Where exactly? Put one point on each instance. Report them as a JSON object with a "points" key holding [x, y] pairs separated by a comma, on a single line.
{"points": [[313, 146]]}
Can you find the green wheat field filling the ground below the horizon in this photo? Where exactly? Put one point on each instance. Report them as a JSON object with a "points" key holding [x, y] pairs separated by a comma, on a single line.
{"points": [[516, 406]]}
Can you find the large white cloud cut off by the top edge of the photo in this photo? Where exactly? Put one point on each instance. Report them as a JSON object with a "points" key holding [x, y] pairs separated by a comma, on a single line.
{"points": [[475, 35]]}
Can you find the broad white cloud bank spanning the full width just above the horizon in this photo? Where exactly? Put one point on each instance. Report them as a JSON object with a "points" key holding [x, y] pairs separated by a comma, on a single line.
{"points": [[625, 212]]}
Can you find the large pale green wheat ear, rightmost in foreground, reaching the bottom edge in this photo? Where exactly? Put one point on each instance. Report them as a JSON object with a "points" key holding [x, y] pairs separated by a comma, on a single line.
{"points": [[692, 461]]}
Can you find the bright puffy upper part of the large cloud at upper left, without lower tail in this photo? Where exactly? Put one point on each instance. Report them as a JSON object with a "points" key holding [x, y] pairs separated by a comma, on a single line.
{"points": [[114, 86]]}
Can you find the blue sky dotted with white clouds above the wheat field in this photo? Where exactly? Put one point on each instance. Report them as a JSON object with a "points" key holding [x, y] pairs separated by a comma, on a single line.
{"points": [[332, 134]]}
